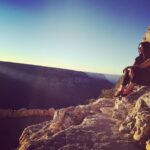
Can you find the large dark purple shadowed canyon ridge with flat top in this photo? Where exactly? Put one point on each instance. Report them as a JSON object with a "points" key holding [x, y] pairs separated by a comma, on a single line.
{"points": [[31, 86]]}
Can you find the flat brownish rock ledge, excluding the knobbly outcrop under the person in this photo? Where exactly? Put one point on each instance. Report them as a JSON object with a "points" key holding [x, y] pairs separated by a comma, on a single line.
{"points": [[89, 127]]}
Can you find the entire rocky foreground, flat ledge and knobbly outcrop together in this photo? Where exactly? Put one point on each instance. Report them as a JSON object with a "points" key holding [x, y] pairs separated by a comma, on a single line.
{"points": [[104, 124]]}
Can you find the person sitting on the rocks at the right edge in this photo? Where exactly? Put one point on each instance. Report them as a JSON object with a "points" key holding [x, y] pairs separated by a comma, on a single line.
{"points": [[138, 73]]}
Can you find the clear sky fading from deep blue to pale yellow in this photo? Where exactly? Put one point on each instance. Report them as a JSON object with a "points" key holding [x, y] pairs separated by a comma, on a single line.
{"points": [[87, 35]]}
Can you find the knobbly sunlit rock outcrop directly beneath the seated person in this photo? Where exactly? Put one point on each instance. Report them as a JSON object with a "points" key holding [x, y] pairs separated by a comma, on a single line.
{"points": [[134, 113]]}
